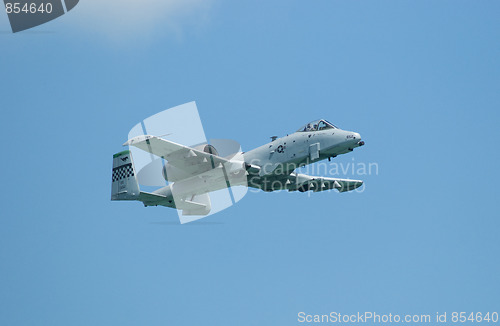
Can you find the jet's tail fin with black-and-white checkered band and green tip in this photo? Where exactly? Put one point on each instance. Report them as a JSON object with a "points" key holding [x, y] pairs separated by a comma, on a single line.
{"points": [[124, 185]]}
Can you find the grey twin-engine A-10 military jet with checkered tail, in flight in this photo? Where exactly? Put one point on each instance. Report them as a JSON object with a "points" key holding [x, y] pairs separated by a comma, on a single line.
{"points": [[194, 172]]}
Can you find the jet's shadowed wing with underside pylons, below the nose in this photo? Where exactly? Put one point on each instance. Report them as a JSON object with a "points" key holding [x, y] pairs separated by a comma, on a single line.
{"points": [[305, 182]]}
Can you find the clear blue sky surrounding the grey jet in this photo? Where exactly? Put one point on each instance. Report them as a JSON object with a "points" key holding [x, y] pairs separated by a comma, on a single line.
{"points": [[420, 80]]}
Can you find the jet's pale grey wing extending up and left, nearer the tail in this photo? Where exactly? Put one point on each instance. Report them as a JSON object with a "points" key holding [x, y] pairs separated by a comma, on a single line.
{"points": [[190, 160]]}
